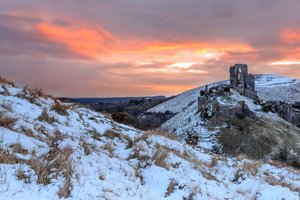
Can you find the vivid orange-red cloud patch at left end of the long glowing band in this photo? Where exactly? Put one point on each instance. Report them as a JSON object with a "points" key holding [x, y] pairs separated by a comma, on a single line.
{"points": [[86, 42]]}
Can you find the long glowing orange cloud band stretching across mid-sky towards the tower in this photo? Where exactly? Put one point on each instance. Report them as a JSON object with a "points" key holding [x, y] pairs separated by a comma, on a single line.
{"points": [[94, 43]]}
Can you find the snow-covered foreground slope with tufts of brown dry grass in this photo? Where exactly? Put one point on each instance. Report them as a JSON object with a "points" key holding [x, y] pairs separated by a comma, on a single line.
{"points": [[50, 150]]}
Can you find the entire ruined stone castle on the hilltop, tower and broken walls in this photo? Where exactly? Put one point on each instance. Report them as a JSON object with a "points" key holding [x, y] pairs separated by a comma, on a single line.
{"points": [[216, 106]]}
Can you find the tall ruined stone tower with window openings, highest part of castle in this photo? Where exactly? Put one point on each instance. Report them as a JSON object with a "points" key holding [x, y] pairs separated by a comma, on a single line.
{"points": [[241, 81]]}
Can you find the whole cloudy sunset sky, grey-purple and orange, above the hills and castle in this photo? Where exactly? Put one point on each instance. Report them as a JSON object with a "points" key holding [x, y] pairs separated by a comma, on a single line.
{"points": [[110, 48]]}
